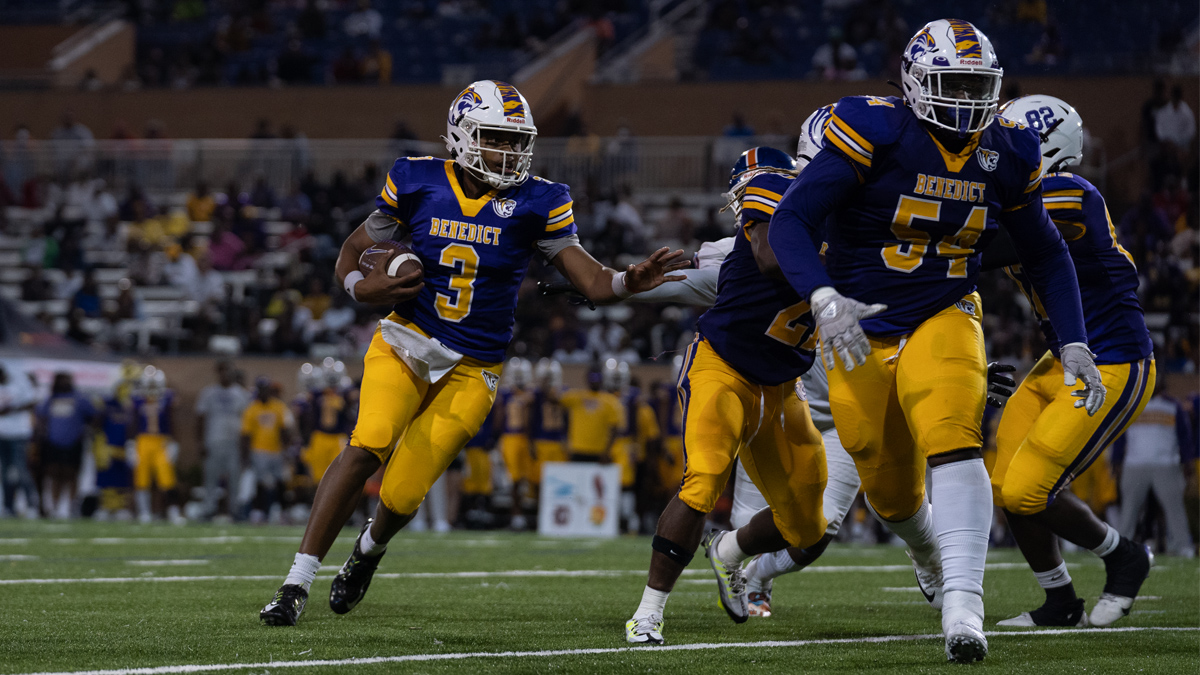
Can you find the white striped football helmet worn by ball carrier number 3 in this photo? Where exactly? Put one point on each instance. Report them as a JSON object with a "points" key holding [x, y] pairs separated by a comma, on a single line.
{"points": [[497, 107]]}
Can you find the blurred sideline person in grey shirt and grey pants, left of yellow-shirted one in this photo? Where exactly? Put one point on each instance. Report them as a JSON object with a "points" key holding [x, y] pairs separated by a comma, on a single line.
{"points": [[219, 413]]}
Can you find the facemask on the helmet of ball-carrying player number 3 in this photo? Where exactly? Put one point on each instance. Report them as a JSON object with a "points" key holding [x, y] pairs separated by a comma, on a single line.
{"points": [[511, 152]]}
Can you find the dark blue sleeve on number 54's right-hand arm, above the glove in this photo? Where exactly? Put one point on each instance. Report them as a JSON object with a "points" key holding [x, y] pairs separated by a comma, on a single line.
{"points": [[1045, 259]]}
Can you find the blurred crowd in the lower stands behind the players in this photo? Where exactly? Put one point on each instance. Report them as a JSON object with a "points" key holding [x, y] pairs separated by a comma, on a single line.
{"points": [[255, 265]]}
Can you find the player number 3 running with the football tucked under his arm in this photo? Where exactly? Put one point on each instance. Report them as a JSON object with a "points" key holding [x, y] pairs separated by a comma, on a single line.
{"points": [[476, 222]]}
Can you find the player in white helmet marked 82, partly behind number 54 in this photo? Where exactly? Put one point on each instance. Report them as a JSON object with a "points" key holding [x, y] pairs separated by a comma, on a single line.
{"points": [[1042, 444]]}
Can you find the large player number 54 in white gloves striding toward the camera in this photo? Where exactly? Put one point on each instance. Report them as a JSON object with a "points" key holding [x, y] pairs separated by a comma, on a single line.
{"points": [[909, 190]]}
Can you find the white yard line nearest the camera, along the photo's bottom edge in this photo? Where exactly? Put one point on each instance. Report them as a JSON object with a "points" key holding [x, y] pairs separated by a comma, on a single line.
{"points": [[545, 654]]}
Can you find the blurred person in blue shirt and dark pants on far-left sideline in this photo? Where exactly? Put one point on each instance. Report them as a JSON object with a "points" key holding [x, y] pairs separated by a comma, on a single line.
{"points": [[63, 423]]}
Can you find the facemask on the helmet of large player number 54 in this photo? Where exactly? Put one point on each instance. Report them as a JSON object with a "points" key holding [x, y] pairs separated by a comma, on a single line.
{"points": [[963, 100]]}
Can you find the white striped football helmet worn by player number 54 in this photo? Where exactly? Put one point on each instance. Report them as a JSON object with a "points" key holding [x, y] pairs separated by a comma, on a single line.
{"points": [[951, 76]]}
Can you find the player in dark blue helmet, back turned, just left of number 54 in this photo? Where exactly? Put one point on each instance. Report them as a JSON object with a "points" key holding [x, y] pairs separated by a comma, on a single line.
{"points": [[736, 390]]}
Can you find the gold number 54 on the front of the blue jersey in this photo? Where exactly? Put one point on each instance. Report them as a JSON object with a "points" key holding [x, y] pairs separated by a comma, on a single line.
{"points": [[910, 254]]}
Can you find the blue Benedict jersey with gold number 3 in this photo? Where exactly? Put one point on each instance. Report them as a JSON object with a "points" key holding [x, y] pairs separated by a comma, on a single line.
{"points": [[476, 252]]}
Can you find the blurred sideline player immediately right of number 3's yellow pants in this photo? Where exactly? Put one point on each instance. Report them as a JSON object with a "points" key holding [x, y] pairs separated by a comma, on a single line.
{"points": [[513, 425]]}
